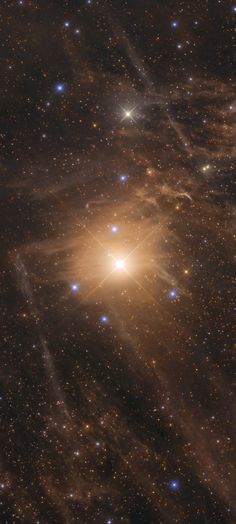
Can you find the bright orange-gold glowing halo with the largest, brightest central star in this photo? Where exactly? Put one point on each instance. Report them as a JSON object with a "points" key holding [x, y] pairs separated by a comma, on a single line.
{"points": [[108, 263]]}
